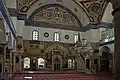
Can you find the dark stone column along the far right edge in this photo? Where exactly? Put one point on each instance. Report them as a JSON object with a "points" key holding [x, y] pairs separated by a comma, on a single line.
{"points": [[117, 44]]}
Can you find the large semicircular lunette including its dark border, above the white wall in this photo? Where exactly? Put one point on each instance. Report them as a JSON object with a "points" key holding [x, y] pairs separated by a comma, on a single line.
{"points": [[54, 15]]}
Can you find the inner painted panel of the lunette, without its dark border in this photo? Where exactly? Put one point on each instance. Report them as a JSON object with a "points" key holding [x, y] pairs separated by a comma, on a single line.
{"points": [[55, 15]]}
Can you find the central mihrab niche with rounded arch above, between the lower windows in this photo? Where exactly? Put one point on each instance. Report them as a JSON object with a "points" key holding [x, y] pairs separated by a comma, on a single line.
{"points": [[55, 57]]}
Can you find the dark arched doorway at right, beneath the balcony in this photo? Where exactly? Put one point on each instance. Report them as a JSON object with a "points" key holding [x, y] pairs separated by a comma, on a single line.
{"points": [[105, 59]]}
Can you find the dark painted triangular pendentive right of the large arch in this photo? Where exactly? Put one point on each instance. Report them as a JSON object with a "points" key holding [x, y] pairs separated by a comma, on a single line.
{"points": [[93, 8]]}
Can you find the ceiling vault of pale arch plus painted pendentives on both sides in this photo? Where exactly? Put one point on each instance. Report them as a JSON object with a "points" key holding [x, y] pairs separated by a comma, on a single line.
{"points": [[93, 9]]}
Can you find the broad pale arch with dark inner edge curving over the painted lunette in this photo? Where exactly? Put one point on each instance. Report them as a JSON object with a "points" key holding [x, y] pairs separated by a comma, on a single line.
{"points": [[78, 15]]}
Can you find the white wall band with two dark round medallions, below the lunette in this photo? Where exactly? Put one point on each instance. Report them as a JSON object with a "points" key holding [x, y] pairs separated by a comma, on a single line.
{"points": [[27, 34]]}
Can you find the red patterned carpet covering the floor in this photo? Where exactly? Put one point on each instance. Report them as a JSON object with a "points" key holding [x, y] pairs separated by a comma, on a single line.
{"points": [[61, 76]]}
